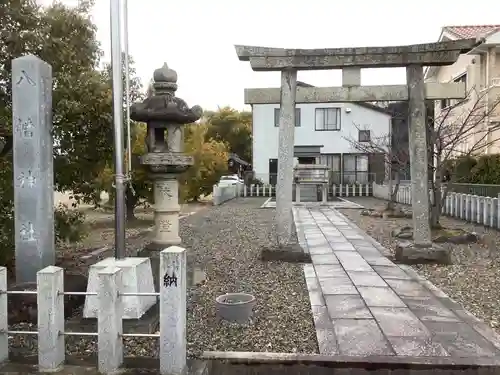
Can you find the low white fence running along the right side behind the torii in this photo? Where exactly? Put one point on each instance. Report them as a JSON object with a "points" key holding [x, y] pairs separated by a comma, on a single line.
{"points": [[473, 208]]}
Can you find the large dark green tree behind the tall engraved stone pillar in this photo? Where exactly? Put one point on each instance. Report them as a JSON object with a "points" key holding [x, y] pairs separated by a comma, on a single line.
{"points": [[65, 38]]}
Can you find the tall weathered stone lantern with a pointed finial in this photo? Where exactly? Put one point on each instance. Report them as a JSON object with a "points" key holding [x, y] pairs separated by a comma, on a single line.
{"points": [[165, 115]]}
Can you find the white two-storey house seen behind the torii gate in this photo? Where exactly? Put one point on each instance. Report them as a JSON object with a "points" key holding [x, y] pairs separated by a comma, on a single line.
{"points": [[324, 134]]}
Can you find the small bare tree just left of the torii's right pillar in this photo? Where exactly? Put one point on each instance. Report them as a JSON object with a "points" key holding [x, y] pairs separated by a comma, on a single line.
{"points": [[396, 157]]}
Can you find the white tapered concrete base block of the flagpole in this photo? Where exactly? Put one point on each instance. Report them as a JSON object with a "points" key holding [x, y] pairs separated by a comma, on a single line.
{"points": [[137, 278]]}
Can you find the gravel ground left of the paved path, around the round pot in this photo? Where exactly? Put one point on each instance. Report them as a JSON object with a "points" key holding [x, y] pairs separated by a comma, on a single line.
{"points": [[226, 241]]}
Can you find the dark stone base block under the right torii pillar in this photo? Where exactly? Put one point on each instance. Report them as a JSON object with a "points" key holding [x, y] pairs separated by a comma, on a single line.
{"points": [[408, 253]]}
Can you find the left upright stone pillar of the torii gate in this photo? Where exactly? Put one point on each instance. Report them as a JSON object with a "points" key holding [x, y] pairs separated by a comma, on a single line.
{"points": [[284, 188]]}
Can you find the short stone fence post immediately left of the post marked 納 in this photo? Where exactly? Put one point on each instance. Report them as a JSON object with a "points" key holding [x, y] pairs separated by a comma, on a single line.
{"points": [[109, 320]]}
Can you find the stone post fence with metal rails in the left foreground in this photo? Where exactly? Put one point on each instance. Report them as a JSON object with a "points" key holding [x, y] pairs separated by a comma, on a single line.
{"points": [[51, 333]]}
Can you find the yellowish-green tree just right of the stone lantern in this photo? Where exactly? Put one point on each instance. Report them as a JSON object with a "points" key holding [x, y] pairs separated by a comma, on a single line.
{"points": [[210, 162]]}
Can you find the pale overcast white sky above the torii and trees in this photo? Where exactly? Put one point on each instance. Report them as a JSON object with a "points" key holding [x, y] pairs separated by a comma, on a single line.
{"points": [[197, 37]]}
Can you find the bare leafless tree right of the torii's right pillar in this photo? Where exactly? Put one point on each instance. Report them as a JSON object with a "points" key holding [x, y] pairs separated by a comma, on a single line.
{"points": [[460, 130]]}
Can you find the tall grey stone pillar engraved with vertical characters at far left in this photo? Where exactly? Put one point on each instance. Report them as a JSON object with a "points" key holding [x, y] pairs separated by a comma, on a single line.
{"points": [[33, 166]]}
